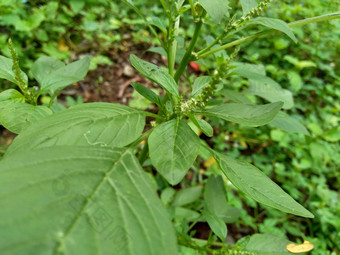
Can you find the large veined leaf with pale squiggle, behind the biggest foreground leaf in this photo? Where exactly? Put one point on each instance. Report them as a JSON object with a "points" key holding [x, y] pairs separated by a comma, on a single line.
{"points": [[100, 124]]}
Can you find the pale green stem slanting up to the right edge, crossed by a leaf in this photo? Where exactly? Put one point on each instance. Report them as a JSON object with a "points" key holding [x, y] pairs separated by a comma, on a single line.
{"points": [[326, 17]]}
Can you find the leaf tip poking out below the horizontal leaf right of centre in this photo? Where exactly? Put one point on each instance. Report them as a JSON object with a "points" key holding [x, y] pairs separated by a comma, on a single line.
{"points": [[285, 122]]}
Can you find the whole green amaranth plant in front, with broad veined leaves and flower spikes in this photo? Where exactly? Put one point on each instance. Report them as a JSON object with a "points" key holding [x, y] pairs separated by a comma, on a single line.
{"points": [[71, 182]]}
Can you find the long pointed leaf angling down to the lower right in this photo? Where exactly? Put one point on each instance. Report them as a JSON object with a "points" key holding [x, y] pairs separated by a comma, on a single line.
{"points": [[258, 186]]}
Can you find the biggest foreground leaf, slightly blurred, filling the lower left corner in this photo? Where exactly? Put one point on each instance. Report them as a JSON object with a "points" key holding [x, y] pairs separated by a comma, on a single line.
{"points": [[80, 200]]}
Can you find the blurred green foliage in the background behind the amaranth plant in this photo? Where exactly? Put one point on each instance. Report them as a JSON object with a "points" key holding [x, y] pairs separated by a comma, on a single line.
{"points": [[307, 167]]}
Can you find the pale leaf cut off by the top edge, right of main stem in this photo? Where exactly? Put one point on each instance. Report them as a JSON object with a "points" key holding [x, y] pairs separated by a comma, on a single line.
{"points": [[216, 8]]}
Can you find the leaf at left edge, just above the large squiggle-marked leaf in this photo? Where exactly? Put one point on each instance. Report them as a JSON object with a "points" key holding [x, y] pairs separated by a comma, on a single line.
{"points": [[17, 116]]}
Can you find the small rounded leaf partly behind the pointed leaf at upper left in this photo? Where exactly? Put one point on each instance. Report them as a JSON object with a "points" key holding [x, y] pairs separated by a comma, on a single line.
{"points": [[45, 66]]}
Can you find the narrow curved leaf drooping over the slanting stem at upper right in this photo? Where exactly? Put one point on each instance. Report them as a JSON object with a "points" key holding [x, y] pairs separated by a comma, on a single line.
{"points": [[276, 24]]}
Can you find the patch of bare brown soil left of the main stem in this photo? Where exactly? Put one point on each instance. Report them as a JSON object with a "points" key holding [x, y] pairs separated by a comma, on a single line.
{"points": [[112, 83]]}
